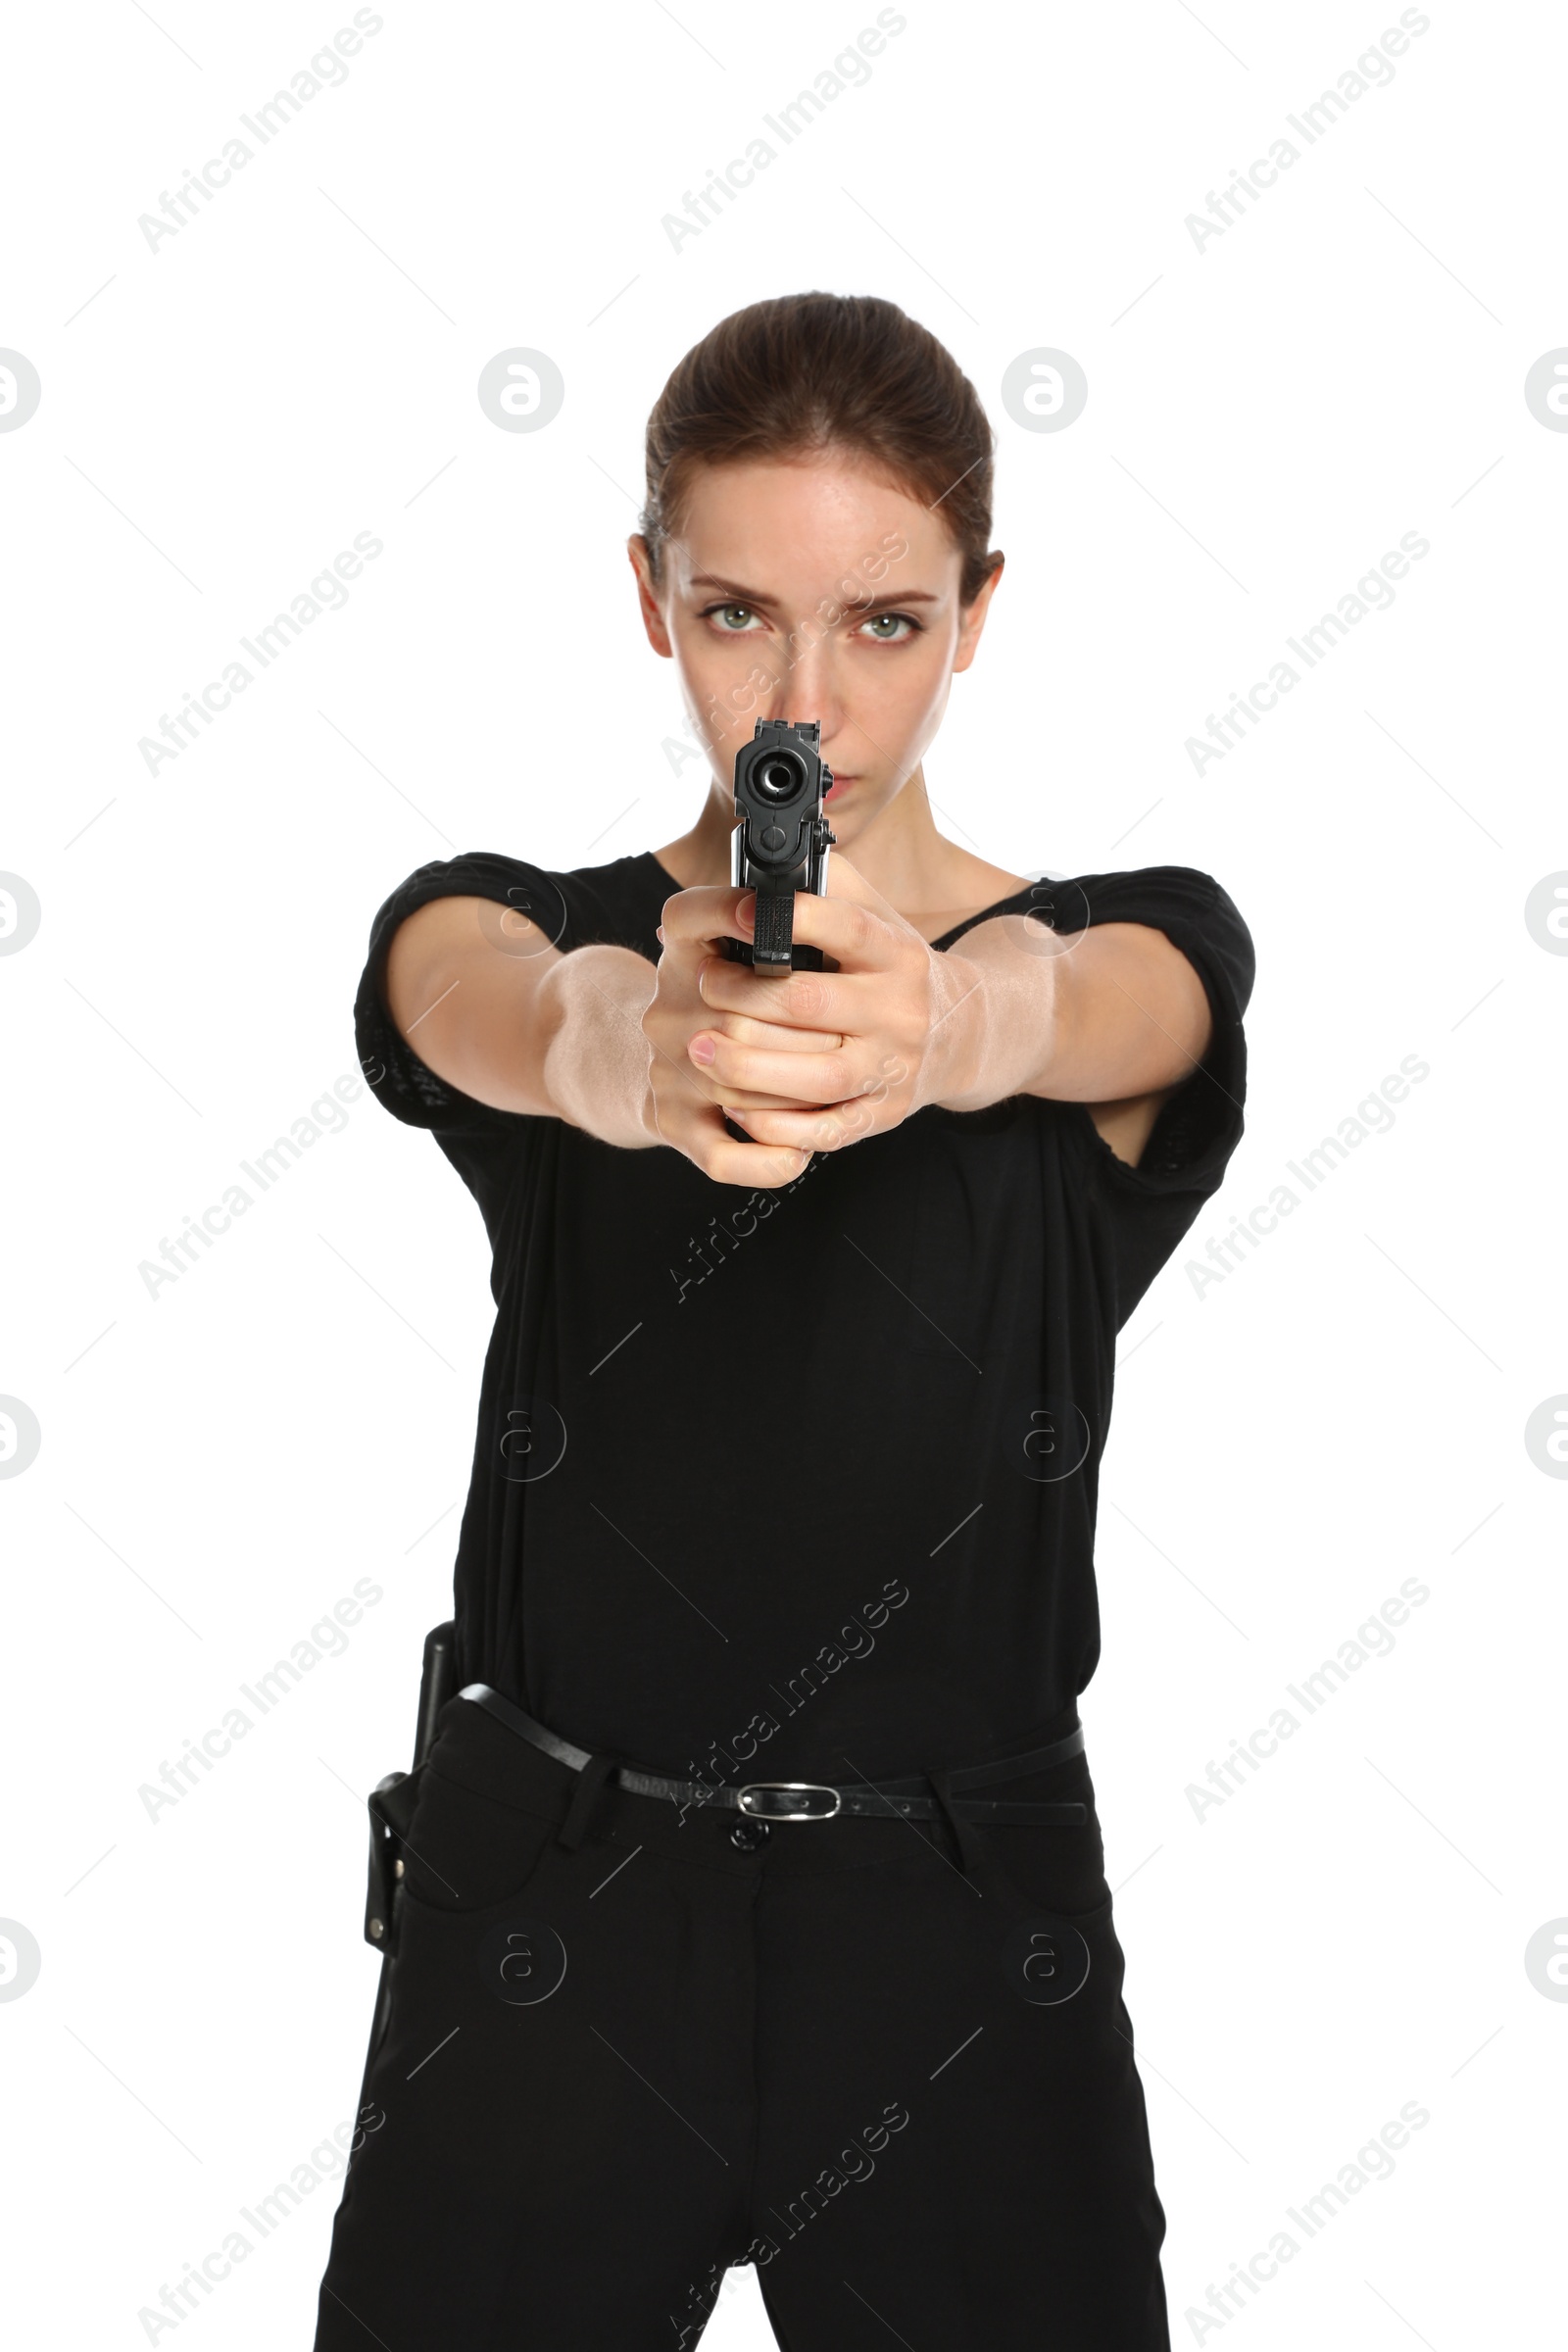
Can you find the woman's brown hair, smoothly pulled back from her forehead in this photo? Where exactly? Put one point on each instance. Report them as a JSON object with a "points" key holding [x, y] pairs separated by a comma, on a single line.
{"points": [[810, 373]]}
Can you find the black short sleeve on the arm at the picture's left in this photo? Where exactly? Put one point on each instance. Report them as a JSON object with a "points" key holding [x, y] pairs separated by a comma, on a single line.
{"points": [[563, 911]]}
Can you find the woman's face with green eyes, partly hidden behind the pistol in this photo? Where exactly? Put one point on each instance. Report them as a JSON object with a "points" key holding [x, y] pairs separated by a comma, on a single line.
{"points": [[810, 589]]}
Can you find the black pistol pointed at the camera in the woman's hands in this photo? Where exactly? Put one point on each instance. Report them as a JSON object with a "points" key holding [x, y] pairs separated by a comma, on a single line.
{"points": [[782, 841]]}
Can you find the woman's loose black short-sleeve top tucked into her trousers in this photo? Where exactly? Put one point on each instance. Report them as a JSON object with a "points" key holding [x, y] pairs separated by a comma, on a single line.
{"points": [[775, 1478]]}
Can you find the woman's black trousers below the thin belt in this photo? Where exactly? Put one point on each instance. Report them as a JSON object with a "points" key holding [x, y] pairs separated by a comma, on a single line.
{"points": [[894, 2076]]}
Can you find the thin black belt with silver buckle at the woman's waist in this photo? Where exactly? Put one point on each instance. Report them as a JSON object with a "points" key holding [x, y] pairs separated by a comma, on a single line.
{"points": [[784, 1800]]}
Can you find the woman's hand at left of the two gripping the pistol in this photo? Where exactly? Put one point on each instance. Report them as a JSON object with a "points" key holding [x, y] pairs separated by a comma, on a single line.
{"points": [[688, 1102]]}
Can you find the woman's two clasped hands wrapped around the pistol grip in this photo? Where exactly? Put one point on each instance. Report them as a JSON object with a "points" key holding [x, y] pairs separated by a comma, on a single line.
{"points": [[822, 1060]]}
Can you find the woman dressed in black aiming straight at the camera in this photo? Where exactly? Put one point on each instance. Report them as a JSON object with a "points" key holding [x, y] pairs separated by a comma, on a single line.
{"points": [[786, 1474]]}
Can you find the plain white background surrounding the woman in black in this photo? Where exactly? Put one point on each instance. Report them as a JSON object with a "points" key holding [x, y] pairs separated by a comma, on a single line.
{"points": [[1346, 1410]]}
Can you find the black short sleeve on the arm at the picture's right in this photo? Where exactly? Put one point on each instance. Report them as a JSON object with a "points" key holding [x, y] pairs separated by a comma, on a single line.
{"points": [[1151, 1208]]}
